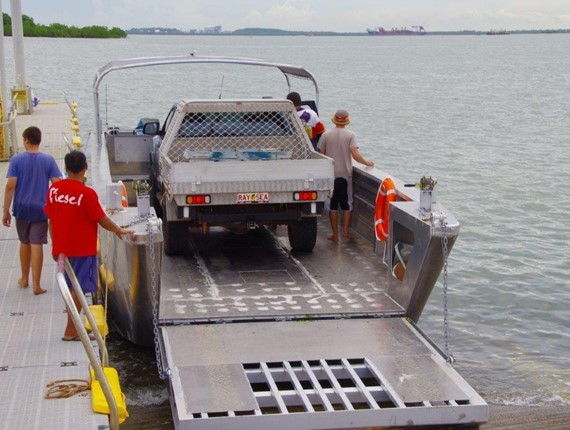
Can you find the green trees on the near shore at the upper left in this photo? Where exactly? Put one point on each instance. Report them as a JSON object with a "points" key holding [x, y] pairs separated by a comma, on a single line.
{"points": [[31, 29]]}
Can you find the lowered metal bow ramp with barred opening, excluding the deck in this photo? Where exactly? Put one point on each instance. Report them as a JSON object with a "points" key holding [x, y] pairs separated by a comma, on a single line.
{"points": [[313, 375]]}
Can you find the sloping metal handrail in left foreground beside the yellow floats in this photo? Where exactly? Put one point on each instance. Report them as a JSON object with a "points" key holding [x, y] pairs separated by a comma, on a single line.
{"points": [[63, 265]]}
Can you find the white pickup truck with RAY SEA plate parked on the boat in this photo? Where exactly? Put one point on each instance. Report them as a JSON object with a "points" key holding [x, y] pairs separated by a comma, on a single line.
{"points": [[239, 164]]}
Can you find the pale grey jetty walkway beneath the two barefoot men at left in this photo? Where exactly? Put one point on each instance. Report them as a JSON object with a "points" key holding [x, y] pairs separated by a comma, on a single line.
{"points": [[31, 351]]}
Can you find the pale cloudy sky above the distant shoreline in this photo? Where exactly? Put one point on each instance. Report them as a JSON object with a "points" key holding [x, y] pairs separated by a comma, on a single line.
{"points": [[303, 15]]}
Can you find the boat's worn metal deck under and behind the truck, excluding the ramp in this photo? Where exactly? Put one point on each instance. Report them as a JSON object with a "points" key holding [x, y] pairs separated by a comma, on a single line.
{"points": [[253, 276]]}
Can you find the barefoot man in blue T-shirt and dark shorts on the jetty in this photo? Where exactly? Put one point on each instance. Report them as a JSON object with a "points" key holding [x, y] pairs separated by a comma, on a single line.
{"points": [[28, 178]]}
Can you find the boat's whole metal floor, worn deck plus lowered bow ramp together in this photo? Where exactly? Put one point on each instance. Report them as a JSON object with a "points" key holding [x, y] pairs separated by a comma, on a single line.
{"points": [[255, 337]]}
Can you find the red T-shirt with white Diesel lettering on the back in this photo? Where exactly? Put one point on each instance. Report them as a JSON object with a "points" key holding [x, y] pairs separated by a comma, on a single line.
{"points": [[74, 211]]}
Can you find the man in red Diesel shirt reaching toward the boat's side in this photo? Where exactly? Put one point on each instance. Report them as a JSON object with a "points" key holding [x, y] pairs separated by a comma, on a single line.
{"points": [[74, 212]]}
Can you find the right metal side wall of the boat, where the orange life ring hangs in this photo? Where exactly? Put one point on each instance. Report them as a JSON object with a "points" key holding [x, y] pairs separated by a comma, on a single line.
{"points": [[419, 235]]}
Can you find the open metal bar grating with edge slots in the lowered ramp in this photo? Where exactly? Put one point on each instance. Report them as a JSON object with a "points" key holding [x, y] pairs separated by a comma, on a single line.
{"points": [[344, 384]]}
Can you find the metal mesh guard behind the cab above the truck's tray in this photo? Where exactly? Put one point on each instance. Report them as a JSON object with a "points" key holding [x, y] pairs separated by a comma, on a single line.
{"points": [[227, 129]]}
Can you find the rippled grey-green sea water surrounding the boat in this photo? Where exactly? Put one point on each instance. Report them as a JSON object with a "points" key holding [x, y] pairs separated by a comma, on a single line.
{"points": [[487, 116]]}
